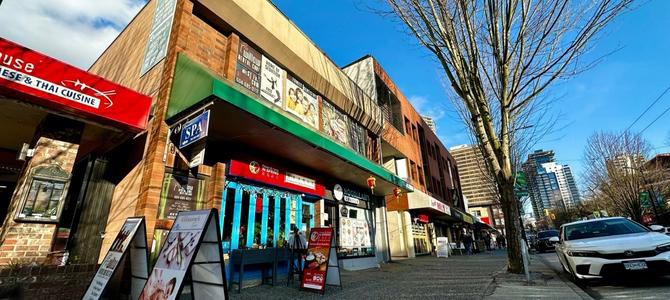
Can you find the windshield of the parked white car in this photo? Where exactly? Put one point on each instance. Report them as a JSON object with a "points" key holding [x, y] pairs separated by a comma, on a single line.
{"points": [[602, 228]]}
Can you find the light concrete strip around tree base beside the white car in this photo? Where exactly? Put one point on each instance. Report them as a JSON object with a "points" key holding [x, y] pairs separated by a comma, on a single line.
{"points": [[546, 284]]}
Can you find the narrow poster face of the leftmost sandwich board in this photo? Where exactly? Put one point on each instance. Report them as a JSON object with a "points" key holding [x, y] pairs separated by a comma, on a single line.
{"points": [[113, 259]]}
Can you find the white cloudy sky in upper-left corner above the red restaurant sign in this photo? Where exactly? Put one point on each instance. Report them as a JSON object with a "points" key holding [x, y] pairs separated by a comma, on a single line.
{"points": [[73, 31]]}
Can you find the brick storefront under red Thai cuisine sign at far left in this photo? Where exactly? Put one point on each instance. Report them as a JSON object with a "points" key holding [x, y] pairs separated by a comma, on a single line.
{"points": [[63, 127]]}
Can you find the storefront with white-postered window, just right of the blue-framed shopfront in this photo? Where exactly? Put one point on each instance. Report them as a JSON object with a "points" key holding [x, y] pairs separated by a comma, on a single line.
{"points": [[352, 212]]}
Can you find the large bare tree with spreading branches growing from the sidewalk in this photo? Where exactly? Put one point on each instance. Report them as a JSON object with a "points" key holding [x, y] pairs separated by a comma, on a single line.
{"points": [[499, 56]]}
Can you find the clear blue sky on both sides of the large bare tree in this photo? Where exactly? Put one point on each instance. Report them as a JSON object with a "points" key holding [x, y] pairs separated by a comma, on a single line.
{"points": [[608, 97]]}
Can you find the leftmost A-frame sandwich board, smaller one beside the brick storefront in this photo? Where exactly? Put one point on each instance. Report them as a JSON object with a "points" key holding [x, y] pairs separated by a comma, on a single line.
{"points": [[130, 243]]}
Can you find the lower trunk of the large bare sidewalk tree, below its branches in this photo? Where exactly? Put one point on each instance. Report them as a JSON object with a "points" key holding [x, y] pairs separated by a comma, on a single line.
{"points": [[510, 207]]}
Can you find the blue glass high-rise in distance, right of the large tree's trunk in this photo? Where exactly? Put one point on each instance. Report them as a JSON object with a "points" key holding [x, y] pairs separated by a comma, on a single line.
{"points": [[550, 185]]}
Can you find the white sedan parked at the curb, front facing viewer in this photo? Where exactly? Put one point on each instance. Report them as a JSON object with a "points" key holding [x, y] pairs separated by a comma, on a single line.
{"points": [[606, 247]]}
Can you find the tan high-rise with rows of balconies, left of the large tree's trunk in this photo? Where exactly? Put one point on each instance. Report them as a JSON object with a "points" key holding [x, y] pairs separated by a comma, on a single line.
{"points": [[478, 186]]}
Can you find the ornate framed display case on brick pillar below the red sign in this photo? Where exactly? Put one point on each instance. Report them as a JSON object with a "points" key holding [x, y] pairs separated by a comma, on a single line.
{"points": [[45, 195]]}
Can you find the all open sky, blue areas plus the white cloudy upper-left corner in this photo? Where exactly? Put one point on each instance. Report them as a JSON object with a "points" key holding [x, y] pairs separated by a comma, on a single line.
{"points": [[608, 97]]}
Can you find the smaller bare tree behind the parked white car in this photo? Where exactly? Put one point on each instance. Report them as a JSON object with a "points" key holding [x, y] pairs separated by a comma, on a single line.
{"points": [[614, 171]]}
